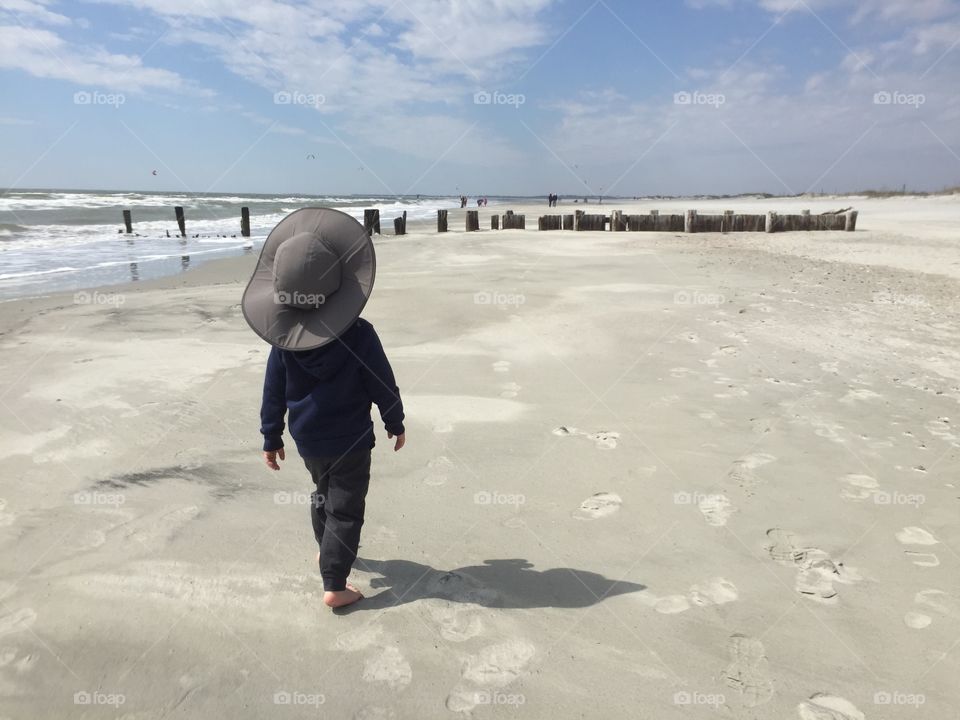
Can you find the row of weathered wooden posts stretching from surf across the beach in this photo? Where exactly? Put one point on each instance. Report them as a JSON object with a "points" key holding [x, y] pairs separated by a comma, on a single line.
{"points": [[690, 222]]}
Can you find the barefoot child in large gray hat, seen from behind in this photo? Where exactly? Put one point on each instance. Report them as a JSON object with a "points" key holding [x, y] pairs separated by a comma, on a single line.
{"points": [[326, 368]]}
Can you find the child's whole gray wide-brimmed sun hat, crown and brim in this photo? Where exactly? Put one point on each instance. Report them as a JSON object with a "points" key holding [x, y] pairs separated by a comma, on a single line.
{"points": [[314, 275]]}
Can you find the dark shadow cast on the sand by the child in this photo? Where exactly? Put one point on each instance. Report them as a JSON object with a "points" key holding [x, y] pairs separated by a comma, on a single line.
{"points": [[509, 583]]}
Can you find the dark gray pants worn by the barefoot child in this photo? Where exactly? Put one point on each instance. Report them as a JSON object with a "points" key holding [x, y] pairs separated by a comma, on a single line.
{"points": [[337, 512]]}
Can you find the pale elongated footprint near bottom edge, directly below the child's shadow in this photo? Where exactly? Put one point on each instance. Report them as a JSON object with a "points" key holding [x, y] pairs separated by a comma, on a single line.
{"points": [[493, 668]]}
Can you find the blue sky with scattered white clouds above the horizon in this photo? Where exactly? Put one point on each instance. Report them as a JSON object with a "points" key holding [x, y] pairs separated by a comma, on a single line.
{"points": [[498, 97]]}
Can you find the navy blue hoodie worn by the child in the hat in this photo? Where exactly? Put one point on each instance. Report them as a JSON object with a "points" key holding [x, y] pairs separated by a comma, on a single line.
{"points": [[328, 392]]}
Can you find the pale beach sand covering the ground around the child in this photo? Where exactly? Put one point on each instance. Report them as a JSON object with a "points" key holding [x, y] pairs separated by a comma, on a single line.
{"points": [[646, 475]]}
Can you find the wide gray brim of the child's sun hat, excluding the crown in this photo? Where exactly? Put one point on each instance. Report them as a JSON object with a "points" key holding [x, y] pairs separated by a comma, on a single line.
{"points": [[290, 328]]}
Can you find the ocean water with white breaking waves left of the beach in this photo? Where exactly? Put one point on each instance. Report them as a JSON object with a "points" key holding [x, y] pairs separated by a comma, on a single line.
{"points": [[55, 240]]}
